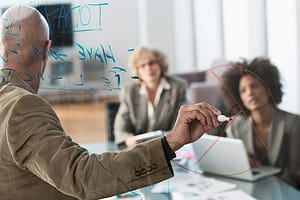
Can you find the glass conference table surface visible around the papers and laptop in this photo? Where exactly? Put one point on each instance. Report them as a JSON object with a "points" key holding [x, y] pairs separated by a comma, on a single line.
{"points": [[270, 188]]}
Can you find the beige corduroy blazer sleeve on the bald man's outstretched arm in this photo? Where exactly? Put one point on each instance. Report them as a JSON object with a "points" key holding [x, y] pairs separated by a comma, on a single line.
{"points": [[38, 143]]}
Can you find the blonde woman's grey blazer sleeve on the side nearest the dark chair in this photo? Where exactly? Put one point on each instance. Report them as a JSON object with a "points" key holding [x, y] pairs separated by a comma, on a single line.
{"points": [[122, 125]]}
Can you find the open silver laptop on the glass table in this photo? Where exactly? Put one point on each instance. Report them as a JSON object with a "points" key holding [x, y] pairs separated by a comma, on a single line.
{"points": [[227, 157]]}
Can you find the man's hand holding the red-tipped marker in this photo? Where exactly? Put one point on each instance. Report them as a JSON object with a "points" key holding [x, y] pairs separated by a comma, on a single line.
{"points": [[192, 121]]}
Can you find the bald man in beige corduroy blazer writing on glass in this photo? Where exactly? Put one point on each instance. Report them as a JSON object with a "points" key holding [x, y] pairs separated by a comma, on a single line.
{"points": [[38, 160]]}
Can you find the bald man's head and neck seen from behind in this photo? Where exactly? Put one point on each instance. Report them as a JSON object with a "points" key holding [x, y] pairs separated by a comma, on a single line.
{"points": [[24, 42]]}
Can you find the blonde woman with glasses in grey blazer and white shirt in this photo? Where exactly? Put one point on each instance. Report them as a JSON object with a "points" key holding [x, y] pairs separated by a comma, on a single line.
{"points": [[152, 102]]}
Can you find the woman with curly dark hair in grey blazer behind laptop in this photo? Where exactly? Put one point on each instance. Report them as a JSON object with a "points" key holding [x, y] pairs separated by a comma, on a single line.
{"points": [[271, 135]]}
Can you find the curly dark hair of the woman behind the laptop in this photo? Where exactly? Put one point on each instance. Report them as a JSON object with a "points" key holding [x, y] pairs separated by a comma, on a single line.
{"points": [[262, 69]]}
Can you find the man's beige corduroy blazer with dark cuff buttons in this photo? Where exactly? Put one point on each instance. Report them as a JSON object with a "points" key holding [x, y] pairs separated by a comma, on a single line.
{"points": [[39, 161]]}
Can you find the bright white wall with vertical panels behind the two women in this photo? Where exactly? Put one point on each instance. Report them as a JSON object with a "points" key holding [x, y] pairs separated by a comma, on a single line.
{"points": [[194, 34]]}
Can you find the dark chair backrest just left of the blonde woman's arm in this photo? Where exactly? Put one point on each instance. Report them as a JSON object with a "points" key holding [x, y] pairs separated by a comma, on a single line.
{"points": [[111, 112]]}
